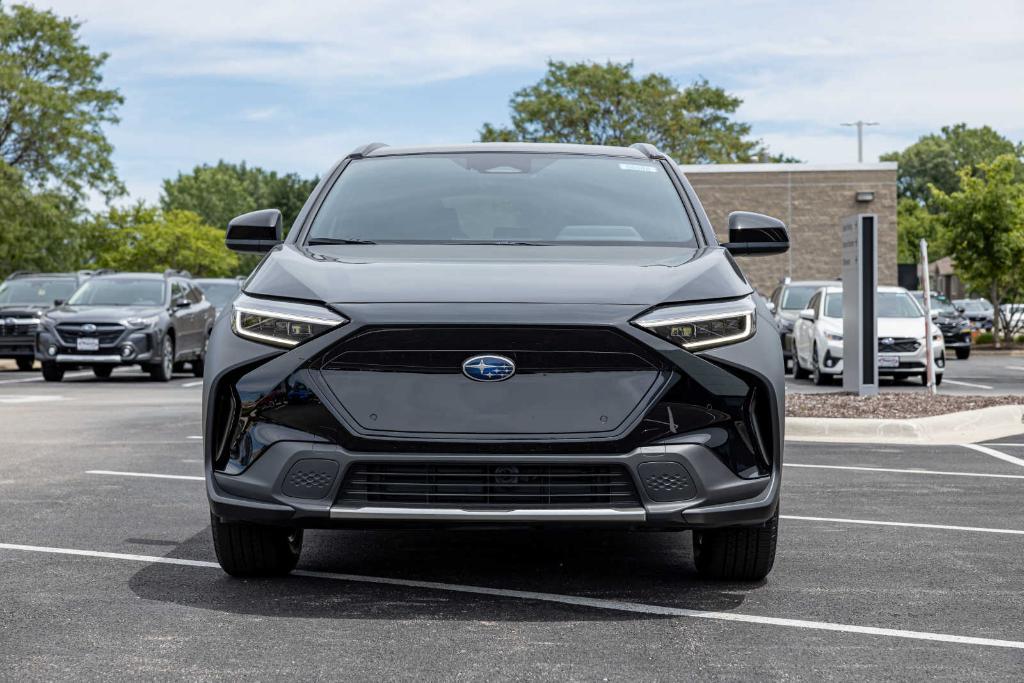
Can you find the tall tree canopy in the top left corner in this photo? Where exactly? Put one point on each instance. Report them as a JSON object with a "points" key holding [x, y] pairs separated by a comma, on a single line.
{"points": [[53, 105]]}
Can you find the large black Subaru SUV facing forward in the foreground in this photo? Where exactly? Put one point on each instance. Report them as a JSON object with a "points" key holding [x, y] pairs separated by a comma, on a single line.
{"points": [[508, 335]]}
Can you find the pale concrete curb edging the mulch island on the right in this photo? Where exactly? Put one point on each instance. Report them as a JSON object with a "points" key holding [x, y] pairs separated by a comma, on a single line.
{"points": [[964, 428]]}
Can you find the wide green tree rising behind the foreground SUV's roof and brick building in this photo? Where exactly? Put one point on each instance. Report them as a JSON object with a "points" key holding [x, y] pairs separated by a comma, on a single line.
{"points": [[593, 104]]}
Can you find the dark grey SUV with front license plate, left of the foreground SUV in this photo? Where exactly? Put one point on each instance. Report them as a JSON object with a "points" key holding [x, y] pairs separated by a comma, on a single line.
{"points": [[159, 322]]}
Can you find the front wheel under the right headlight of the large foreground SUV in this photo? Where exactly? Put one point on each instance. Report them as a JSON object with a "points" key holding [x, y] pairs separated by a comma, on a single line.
{"points": [[743, 553]]}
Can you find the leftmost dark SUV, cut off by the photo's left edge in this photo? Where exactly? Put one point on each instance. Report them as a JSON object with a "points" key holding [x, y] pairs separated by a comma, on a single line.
{"points": [[24, 297]]}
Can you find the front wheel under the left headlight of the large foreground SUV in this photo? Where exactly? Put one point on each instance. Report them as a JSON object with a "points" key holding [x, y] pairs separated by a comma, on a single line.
{"points": [[245, 549]]}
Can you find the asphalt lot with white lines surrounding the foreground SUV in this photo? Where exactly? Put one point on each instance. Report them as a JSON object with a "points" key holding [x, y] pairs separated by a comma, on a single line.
{"points": [[899, 563]]}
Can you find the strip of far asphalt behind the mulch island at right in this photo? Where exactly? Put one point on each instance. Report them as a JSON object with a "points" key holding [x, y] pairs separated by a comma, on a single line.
{"points": [[982, 374]]}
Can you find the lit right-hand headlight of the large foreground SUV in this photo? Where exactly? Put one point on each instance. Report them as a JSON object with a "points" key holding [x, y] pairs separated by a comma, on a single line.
{"points": [[702, 327]]}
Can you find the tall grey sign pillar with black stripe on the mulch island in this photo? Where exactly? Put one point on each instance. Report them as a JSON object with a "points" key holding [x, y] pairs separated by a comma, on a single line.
{"points": [[861, 282]]}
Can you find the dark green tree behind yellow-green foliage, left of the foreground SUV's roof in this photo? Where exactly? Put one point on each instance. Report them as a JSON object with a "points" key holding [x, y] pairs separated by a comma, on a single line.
{"points": [[220, 193]]}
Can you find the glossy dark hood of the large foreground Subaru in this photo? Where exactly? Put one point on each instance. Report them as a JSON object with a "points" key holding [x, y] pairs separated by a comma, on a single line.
{"points": [[498, 274]]}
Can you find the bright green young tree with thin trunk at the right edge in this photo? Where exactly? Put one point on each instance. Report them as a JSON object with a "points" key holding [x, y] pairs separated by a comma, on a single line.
{"points": [[984, 228]]}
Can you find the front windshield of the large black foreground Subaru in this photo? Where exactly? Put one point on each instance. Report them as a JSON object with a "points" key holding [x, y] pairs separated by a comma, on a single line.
{"points": [[496, 198]]}
